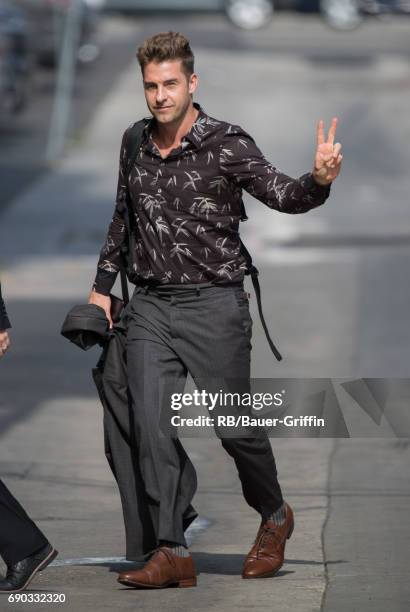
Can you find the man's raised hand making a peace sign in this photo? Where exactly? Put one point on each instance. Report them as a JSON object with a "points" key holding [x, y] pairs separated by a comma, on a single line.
{"points": [[328, 159]]}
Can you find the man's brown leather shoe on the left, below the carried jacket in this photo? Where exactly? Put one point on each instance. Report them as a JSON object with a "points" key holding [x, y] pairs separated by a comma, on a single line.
{"points": [[164, 569]]}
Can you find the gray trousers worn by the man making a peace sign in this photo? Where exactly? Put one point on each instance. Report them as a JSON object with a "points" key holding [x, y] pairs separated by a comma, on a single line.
{"points": [[204, 330]]}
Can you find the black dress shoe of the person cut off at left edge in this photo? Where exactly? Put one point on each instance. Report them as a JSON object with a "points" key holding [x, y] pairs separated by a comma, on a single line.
{"points": [[21, 573]]}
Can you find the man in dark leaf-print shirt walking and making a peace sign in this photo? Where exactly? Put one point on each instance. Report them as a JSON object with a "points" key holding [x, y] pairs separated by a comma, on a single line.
{"points": [[189, 311]]}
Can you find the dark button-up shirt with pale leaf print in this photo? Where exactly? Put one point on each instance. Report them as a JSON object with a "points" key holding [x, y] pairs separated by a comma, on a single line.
{"points": [[187, 207]]}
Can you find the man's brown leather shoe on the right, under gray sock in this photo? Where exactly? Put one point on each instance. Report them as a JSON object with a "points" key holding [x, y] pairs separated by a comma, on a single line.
{"points": [[267, 553]]}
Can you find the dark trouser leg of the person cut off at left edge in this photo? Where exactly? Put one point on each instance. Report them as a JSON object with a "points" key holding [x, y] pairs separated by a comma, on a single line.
{"points": [[19, 536]]}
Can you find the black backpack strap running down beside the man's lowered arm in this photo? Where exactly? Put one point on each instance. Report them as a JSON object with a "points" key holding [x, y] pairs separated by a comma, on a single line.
{"points": [[132, 144]]}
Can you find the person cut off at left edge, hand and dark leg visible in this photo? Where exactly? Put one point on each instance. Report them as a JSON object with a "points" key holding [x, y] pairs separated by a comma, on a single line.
{"points": [[24, 548]]}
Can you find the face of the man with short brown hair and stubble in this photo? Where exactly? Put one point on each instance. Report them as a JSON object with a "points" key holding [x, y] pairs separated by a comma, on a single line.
{"points": [[168, 90]]}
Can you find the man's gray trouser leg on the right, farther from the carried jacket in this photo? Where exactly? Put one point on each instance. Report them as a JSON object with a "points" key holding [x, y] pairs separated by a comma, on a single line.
{"points": [[212, 336]]}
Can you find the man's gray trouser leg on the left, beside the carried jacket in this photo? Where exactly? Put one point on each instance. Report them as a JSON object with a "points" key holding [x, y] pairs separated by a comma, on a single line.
{"points": [[162, 460]]}
